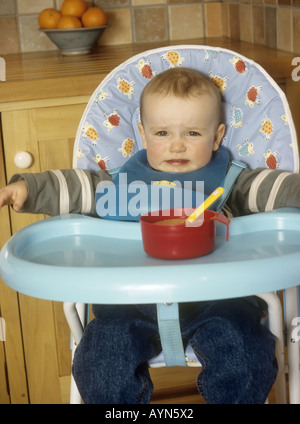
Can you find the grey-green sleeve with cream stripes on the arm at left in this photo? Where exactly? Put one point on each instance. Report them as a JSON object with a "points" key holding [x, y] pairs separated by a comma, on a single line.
{"points": [[58, 192]]}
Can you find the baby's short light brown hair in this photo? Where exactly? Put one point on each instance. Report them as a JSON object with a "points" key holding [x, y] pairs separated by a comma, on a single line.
{"points": [[183, 83]]}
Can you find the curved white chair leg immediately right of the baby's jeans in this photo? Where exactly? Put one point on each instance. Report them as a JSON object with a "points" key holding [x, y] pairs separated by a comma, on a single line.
{"points": [[276, 328]]}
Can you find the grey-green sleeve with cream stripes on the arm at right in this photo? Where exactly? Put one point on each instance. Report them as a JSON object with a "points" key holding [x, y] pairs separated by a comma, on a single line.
{"points": [[263, 190]]}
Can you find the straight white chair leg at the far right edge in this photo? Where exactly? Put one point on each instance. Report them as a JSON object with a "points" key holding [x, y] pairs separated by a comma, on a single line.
{"points": [[292, 318]]}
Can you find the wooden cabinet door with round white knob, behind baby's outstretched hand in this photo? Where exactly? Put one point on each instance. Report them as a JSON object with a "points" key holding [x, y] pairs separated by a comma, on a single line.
{"points": [[47, 133]]}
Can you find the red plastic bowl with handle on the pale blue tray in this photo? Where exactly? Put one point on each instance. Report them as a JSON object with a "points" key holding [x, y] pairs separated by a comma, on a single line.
{"points": [[180, 241]]}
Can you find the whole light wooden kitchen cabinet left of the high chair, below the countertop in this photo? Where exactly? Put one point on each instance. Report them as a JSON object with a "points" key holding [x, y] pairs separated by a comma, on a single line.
{"points": [[37, 333]]}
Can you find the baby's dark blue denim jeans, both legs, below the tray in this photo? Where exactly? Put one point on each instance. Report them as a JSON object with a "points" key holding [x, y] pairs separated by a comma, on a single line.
{"points": [[237, 352]]}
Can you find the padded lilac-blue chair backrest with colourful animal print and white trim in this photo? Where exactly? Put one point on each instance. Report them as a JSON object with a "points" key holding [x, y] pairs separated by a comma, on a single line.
{"points": [[259, 125]]}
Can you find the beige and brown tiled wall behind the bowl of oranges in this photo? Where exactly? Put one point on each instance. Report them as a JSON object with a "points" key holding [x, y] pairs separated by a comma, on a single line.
{"points": [[274, 23]]}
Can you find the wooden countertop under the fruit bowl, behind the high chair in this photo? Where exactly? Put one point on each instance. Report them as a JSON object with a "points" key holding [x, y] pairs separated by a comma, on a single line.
{"points": [[46, 75]]}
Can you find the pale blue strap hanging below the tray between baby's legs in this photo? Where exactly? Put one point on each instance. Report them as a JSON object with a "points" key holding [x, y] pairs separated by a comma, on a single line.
{"points": [[170, 334]]}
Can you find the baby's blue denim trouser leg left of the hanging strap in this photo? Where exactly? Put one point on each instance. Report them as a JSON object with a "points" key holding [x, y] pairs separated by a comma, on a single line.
{"points": [[110, 363]]}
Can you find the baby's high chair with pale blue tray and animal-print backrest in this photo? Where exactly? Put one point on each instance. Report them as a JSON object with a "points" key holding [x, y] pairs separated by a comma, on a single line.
{"points": [[259, 133]]}
